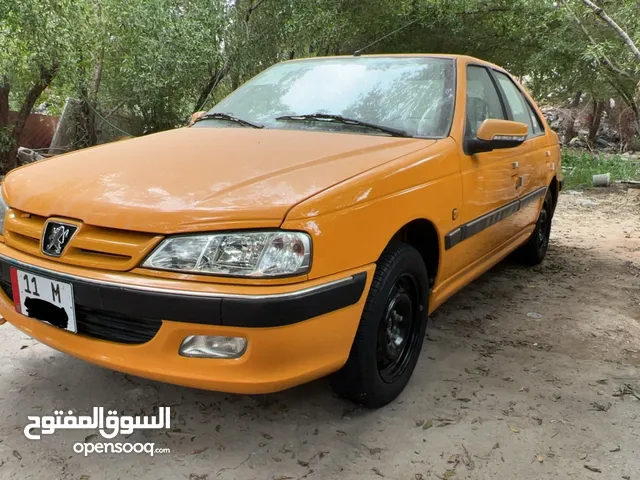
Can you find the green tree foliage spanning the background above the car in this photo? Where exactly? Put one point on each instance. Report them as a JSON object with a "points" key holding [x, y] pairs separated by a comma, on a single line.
{"points": [[159, 59]]}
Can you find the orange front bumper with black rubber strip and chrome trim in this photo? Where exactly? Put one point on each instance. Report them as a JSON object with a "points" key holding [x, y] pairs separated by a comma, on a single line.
{"points": [[295, 333]]}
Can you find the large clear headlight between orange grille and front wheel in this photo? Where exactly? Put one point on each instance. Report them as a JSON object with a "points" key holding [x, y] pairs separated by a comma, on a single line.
{"points": [[250, 254]]}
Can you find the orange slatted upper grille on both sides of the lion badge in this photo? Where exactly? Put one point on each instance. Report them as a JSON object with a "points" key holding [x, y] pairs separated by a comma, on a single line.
{"points": [[91, 246]]}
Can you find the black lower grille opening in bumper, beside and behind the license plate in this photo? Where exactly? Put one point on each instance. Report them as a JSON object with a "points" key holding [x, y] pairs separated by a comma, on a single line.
{"points": [[106, 325]]}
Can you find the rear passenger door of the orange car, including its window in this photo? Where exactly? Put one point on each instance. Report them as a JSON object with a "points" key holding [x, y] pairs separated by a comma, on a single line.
{"points": [[532, 163]]}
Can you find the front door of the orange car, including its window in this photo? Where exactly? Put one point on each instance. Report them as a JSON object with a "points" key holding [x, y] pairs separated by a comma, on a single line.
{"points": [[489, 179]]}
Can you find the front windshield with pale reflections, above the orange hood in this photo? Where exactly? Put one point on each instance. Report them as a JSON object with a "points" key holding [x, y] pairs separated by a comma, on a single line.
{"points": [[410, 94]]}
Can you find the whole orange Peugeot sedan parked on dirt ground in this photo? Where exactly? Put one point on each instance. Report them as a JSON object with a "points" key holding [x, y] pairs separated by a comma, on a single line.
{"points": [[305, 226]]}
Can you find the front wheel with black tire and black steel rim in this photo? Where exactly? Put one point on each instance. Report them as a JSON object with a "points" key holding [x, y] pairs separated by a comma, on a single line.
{"points": [[391, 331]]}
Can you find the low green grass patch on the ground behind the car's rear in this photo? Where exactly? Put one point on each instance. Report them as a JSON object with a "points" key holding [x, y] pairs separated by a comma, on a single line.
{"points": [[579, 168]]}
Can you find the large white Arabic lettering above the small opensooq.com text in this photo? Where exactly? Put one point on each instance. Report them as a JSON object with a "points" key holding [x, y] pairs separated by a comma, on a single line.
{"points": [[109, 426]]}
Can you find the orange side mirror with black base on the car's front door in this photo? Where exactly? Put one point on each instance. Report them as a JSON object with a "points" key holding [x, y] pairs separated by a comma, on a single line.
{"points": [[495, 134]]}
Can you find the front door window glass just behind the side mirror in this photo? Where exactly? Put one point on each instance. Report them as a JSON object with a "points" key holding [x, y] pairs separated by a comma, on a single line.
{"points": [[483, 100]]}
